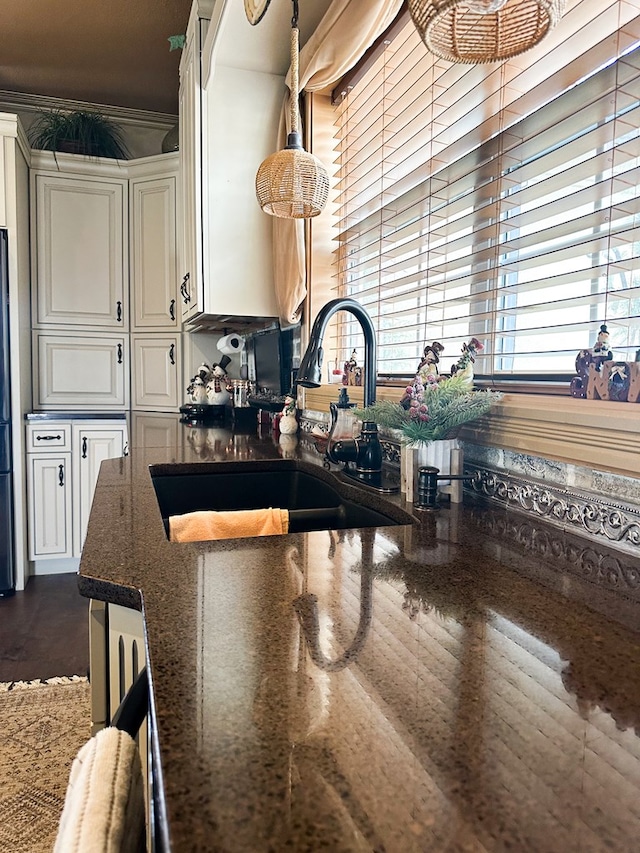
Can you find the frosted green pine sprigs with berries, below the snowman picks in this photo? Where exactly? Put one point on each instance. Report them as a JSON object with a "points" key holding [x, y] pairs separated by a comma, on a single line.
{"points": [[450, 404]]}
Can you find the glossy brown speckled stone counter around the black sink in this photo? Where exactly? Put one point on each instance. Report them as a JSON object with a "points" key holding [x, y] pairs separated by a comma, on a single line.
{"points": [[469, 681]]}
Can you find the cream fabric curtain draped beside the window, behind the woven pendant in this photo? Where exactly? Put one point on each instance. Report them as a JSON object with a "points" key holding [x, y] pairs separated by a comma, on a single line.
{"points": [[347, 30]]}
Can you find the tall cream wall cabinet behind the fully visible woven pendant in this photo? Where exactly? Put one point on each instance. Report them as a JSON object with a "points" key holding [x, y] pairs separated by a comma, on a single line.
{"points": [[226, 130]]}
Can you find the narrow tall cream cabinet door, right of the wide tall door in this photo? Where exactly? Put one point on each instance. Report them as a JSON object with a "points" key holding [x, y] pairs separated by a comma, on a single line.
{"points": [[153, 254]]}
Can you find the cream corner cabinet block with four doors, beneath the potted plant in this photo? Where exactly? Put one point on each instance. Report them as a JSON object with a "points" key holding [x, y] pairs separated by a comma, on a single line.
{"points": [[104, 253]]}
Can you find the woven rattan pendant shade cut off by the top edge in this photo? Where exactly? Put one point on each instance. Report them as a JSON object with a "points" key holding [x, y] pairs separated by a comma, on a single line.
{"points": [[476, 31]]}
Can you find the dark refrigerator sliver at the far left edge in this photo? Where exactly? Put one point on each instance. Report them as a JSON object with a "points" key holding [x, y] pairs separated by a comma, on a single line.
{"points": [[7, 582]]}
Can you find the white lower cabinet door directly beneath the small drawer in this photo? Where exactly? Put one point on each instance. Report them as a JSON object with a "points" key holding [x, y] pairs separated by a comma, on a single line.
{"points": [[49, 489]]}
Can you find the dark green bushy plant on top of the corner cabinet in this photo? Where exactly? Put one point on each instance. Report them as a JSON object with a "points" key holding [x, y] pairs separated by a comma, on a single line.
{"points": [[87, 132]]}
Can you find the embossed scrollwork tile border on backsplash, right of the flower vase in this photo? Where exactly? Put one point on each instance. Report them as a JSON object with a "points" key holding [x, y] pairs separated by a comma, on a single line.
{"points": [[616, 523]]}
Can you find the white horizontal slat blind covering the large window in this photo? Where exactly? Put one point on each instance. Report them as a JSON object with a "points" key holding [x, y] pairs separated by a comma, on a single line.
{"points": [[496, 201]]}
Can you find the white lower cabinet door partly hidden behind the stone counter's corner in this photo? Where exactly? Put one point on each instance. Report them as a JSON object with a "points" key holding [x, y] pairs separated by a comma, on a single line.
{"points": [[91, 445]]}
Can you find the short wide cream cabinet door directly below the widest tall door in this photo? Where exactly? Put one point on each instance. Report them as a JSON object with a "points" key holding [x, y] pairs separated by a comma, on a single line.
{"points": [[73, 370]]}
